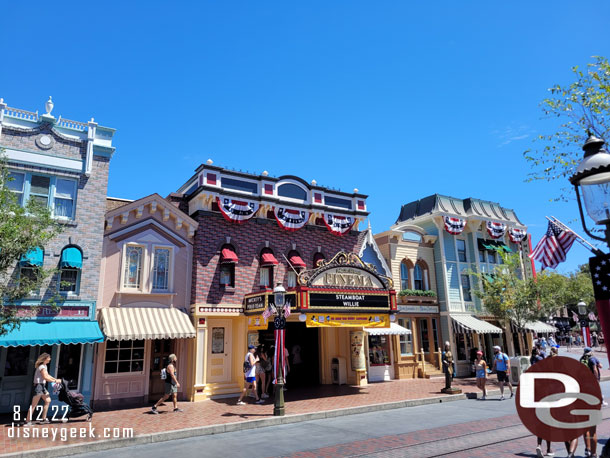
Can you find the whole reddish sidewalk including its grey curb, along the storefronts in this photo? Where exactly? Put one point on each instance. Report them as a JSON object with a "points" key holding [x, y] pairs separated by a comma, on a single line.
{"points": [[223, 415]]}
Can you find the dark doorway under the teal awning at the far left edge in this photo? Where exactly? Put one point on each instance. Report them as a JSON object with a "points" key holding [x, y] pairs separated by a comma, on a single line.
{"points": [[16, 376]]}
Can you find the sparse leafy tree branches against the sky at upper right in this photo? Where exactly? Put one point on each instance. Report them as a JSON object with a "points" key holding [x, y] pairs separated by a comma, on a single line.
{"points": [[581, 106]]}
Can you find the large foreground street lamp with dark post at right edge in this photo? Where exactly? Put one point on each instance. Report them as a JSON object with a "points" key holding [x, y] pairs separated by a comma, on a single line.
{"points": [[593, 177]]}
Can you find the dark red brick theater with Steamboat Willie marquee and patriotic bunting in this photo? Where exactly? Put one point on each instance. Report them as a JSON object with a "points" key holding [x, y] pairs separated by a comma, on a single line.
{"points": [[256, 231]]}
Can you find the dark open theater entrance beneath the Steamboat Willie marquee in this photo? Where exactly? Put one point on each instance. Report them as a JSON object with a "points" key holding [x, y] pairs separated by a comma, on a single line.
{"points": [[303, 348]]}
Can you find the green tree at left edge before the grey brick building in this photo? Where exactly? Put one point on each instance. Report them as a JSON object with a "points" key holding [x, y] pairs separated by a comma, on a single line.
{"points": [[21, 229]]}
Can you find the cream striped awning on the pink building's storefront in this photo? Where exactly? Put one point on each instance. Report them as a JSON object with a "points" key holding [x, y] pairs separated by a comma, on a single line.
{"points": [[135, 323]]}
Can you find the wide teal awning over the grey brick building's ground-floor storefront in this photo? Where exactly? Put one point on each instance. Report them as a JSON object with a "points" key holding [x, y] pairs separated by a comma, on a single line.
{"points": [[52, 333]]}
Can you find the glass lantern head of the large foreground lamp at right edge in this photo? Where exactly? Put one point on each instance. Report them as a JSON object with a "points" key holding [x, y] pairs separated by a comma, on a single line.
{"points": [[592, 176]]}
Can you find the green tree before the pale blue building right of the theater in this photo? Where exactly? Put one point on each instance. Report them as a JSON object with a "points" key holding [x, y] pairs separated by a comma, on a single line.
{"points": [[506, 295]]}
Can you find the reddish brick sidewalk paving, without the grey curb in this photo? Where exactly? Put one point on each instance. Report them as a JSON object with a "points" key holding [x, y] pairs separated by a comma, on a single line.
{"points": [[222, 411]]}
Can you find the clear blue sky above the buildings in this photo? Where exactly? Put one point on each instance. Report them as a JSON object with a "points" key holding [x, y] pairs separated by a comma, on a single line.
{"points": [[398, 99]]}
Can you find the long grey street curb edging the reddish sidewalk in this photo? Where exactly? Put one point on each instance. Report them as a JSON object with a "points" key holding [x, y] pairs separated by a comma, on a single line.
{"points": [[100, 445]]}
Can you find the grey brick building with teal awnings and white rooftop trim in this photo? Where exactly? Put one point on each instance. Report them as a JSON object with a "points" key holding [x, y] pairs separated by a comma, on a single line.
{"points": [[64, 165]]}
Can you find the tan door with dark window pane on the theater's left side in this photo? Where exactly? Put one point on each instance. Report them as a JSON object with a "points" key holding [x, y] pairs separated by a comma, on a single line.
{"points": [[219, 343]]}
